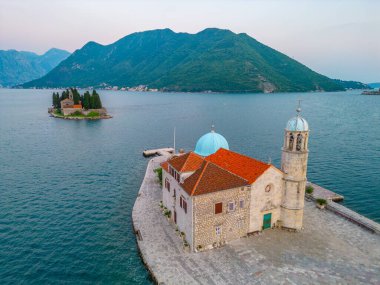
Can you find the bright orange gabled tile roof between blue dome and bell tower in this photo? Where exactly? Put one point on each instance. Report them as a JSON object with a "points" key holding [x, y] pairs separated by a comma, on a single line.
{"points": [[244, 166]]}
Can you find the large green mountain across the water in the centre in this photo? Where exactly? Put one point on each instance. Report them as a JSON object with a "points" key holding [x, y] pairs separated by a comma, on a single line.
{"points": [[213, 59]]}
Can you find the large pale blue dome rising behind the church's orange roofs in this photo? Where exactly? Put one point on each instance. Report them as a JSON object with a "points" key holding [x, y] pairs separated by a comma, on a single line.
{"points": [[210, 143]]}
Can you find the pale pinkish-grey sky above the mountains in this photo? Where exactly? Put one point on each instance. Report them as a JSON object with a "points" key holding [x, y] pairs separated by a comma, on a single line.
{"points": [[338, 38]]}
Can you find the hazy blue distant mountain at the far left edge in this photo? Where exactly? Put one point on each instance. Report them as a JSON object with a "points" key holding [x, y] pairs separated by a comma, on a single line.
{"points": [[17, 67]]}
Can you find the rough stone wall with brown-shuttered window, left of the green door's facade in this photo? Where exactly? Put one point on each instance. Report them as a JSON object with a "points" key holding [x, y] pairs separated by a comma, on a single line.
{"points": [[233, 224]]}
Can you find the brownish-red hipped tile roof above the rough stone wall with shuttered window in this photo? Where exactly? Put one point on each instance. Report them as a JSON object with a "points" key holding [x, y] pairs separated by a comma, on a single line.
{"points": [[211, 178]]}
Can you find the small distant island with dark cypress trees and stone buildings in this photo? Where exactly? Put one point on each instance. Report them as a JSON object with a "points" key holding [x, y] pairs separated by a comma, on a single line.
{"points": [[73, 106]]}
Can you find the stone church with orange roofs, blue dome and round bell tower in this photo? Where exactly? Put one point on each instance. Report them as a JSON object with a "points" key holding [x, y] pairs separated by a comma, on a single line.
{"points": [[216, 195]]}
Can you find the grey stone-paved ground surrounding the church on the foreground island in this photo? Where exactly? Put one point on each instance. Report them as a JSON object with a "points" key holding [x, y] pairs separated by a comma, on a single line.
{"points": [[329, 250]]}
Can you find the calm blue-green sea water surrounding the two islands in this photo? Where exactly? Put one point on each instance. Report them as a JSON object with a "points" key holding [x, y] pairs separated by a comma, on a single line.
{"points": [[67, 188]]}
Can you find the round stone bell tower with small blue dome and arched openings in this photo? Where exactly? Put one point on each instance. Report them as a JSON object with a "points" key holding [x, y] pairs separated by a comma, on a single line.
{"points": [[294, 165]]}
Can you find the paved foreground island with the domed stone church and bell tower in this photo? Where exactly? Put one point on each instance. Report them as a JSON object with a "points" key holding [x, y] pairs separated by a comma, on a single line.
{"points": [[215, 216]]}
